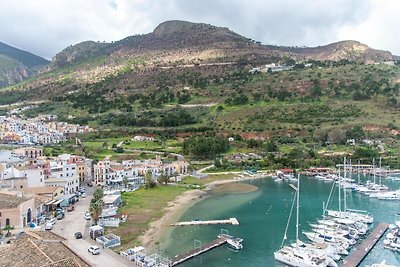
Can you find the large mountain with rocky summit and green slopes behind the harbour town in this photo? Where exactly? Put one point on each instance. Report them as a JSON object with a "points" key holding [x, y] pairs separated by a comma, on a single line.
{"points": [[195, 77]]}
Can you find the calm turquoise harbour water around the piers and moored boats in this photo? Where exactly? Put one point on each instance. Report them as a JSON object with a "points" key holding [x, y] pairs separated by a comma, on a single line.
{"points": [[263, 216]]}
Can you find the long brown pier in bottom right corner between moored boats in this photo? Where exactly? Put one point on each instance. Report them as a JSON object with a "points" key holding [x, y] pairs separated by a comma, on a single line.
{"points": [[355, 258]]}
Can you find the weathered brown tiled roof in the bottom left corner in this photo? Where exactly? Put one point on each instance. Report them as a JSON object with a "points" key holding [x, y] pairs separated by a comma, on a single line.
{"points": [[39, 249]]}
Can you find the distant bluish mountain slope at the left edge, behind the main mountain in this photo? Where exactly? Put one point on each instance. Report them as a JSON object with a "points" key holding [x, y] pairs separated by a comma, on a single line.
{"points": [[17, 65]]}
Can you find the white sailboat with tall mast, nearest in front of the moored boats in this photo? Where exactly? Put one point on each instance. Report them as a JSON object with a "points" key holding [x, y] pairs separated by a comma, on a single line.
{"points": [[295, 255]]}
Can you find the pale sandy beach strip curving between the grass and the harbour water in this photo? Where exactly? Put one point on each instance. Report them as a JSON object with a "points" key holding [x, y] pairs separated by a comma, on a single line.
{"points": [[161, 229]]}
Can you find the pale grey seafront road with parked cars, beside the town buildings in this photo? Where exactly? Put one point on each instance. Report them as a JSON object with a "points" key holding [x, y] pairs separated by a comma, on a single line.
{"points": [[74, 222]]}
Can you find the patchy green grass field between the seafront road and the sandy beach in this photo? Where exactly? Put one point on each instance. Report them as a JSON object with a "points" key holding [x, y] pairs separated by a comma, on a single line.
{"points": [[142, 207]]}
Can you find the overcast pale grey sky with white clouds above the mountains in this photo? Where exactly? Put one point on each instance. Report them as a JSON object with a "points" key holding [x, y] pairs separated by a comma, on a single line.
{"points": [[45, 27]]}
